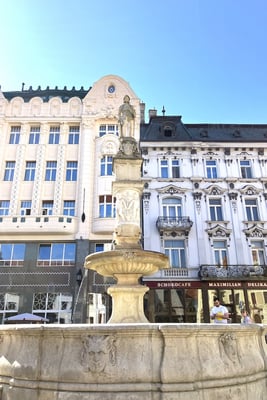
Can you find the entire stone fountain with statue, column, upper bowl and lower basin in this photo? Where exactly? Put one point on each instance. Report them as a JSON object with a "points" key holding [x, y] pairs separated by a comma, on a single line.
{"points": [[129, 358]]}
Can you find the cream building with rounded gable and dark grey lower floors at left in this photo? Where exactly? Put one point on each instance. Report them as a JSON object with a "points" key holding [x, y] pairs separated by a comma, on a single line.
{"points": [[56, 205]]}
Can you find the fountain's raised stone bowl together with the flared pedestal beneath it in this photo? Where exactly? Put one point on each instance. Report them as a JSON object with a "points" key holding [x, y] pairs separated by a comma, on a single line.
{"points": [[127, 267]]}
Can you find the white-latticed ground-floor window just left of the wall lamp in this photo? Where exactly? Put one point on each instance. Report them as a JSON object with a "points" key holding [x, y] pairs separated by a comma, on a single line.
{"points": [[56, 307]]}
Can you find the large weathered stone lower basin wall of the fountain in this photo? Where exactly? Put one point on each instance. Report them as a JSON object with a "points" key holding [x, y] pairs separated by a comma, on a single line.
{"points": [[133, 361]]}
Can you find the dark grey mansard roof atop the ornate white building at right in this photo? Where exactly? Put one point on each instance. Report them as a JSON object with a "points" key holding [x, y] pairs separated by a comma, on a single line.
{"points": [[172, 129]]}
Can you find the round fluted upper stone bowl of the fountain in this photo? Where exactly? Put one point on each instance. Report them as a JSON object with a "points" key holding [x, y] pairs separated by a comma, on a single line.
{"points": [[127, 266]]}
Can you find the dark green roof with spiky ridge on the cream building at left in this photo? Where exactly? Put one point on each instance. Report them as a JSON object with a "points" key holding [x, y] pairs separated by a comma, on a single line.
{"points": [[47, 94]]}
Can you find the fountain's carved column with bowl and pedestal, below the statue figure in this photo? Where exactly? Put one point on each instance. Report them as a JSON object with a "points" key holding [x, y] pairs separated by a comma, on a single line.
{"points": [[127, 262]]}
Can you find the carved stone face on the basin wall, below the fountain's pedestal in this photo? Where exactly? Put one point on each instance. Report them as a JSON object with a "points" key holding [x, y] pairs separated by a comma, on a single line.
{"points": [[98, 352]]}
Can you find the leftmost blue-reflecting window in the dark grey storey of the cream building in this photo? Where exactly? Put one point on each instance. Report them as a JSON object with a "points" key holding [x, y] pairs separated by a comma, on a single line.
{"points": [[13, 253]]}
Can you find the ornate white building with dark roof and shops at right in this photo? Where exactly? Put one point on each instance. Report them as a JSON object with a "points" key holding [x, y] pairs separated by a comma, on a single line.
{"points": [[204, 205]]}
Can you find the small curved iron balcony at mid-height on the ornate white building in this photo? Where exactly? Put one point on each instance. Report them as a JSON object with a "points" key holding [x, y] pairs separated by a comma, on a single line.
{"points": [[174, 225]]}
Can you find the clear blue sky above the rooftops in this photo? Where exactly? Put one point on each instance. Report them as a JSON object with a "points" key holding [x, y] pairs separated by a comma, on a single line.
{"points": [[205, 60]]}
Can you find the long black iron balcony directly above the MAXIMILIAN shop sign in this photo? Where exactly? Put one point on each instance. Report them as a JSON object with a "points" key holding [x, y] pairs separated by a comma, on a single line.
{"points": [[207, 272]]}
